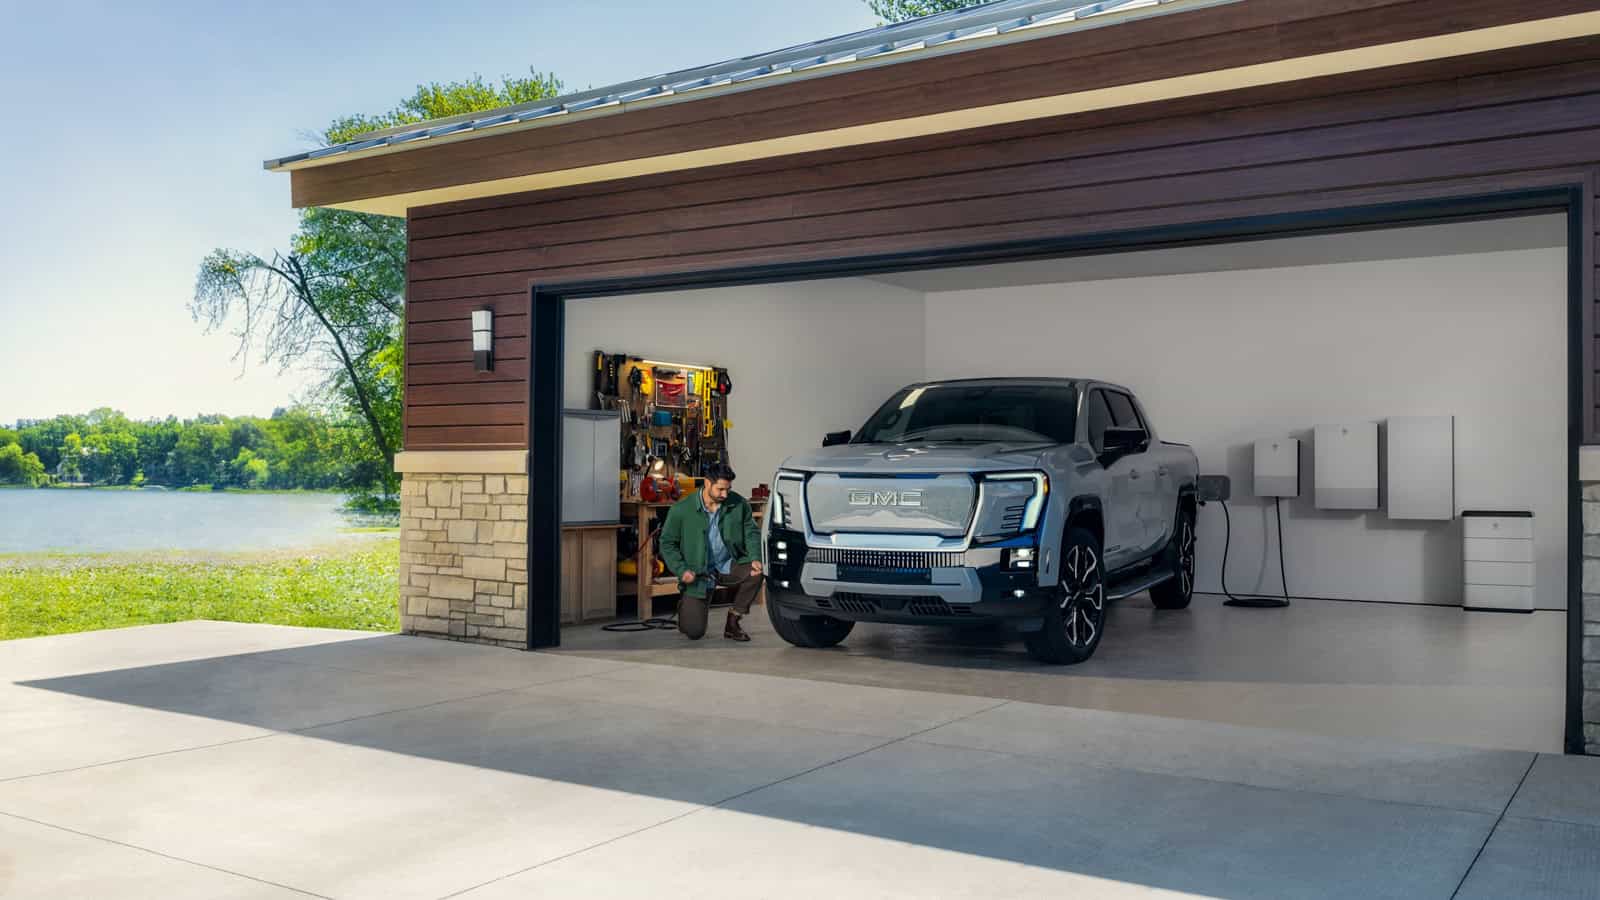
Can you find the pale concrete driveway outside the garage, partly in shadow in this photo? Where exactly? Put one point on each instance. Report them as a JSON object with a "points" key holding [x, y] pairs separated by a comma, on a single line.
{"points": [[214, 760]]}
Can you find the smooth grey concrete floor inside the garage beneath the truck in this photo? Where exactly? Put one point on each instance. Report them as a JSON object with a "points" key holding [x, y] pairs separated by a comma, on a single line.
{"points": [[1326, 667]]}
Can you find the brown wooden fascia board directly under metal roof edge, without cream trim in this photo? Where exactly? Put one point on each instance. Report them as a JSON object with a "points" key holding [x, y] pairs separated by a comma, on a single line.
{"points": [[1164, 47]]}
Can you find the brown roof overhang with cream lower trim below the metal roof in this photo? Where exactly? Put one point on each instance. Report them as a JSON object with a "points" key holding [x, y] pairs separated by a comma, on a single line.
{"points": [[1196, 49]]}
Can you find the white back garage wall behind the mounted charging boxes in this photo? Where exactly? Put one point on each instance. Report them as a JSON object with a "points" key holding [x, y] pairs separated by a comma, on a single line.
{"points": [[1222, 360]]}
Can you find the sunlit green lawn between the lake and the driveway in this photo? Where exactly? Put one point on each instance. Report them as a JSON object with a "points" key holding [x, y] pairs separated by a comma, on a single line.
{"points": [[346, 585]]}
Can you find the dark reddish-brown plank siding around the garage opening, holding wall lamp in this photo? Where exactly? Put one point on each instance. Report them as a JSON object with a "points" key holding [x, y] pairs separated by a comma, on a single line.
{"points": [[1458, 127]]}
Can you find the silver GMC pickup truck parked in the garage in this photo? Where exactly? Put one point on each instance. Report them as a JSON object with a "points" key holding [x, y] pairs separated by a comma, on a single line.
{"points": [[1030, 500]]}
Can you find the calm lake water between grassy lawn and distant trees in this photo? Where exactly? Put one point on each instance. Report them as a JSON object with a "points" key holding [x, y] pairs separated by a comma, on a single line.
{"points": [[102, 521]]}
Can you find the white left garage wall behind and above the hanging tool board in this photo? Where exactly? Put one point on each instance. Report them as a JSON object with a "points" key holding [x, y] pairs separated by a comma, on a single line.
{"points": [[806, 358]]}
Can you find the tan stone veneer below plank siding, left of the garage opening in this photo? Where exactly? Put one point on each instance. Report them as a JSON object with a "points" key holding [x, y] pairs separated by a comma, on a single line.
{"points": [[465, 558]]}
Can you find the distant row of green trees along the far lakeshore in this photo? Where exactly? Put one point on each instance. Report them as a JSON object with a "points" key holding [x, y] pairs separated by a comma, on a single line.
{"points": [[298, 448]]}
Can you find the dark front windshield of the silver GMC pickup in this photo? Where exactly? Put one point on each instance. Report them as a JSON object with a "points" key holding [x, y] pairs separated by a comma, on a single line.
{"points": [[1041, 414]]}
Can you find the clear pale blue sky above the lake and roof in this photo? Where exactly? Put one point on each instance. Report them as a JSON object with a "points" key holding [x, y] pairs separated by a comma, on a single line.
{"points": [[135, 142]]}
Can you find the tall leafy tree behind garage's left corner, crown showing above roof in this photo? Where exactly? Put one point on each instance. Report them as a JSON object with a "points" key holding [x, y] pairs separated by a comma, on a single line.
{"points": [[335, 297]]}
